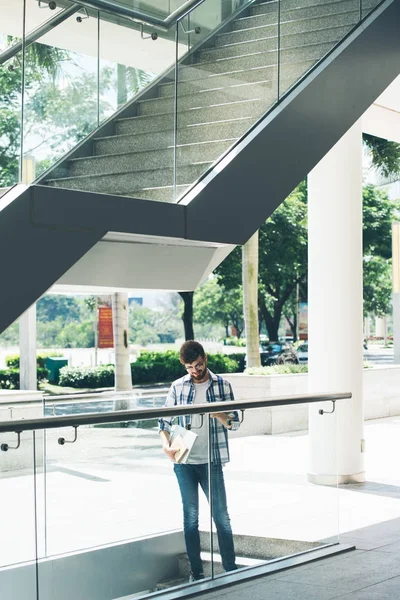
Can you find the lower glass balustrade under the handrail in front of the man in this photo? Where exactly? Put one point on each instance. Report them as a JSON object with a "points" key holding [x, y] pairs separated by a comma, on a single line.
{"points": [[95, 510]]}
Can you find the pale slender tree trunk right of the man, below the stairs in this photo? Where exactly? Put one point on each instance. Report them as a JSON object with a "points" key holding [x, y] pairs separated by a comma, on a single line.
{"points": [[250, 299]]}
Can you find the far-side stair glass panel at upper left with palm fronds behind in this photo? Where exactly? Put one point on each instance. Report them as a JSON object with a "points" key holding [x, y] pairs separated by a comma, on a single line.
{"points": [[61, 90]]}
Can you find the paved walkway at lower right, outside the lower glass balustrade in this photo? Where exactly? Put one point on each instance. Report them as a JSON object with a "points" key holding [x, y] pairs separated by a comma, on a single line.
{"points": [[372, 572]]}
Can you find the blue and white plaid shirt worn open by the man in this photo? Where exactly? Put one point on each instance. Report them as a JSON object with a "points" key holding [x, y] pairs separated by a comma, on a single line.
{"points": [[182, 391]]}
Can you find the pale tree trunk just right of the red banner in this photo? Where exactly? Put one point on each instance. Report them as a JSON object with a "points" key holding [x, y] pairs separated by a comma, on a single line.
{"points": [[123, 374]]}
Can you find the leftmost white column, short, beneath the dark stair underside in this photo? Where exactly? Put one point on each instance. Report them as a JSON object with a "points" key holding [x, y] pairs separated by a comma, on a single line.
{"points": [[27, 350]]}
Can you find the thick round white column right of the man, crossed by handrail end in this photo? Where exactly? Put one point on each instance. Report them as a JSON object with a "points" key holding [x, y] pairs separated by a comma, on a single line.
{"points": [[335, 317]]}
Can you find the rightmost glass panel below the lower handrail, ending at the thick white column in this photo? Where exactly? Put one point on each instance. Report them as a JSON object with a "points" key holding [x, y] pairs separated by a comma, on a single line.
{"points": [[275, 511]]}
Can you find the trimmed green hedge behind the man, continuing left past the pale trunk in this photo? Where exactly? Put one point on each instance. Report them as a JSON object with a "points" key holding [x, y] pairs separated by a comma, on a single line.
{"points": [[150, 367]]}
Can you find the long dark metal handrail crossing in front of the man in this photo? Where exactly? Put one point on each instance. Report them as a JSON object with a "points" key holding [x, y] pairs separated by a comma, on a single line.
{"points": [[153, 413]]}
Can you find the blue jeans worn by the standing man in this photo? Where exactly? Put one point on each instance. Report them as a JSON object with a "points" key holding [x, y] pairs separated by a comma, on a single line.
{"points": [[189, 477]]}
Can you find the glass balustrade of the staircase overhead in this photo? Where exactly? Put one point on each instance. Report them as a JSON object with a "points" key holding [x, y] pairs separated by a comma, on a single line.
{"points": [[158, 106]]}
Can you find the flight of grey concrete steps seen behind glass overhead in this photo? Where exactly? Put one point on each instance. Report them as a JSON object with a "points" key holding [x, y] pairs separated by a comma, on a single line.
{"points": [[223, 88]]}
